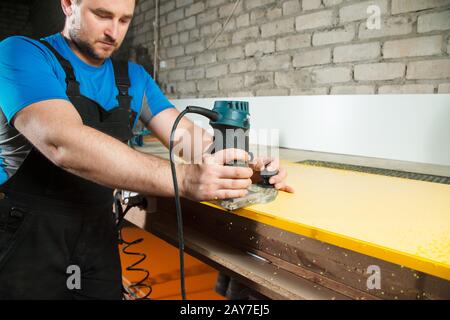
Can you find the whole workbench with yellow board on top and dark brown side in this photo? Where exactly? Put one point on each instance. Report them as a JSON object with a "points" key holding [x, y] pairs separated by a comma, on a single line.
{"points": [[328, 240]]}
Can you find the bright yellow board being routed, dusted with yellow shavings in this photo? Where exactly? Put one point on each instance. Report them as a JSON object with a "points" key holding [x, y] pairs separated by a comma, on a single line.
{"points": [[402, 221]]}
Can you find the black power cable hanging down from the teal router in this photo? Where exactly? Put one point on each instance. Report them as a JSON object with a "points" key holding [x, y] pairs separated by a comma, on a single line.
{"points": [[213, 116]]}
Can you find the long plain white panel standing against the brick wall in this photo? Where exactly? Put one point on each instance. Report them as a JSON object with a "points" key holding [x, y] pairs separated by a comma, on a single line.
{"points": [[402, 127]]}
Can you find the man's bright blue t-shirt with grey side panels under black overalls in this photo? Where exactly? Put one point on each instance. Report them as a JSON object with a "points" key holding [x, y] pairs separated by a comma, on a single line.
{"points": [[29, 73]]}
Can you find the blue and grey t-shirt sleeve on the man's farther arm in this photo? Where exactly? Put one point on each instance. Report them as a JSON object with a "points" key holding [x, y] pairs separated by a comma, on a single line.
{"points": [[154, 100]]}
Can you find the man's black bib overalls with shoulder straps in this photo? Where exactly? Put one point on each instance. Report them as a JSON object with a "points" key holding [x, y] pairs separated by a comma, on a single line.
{"points": [[52, 220]]}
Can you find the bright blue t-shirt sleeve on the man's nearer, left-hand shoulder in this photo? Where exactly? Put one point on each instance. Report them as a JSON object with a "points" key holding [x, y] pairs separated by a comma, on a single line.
{"points": [[27, 76]]}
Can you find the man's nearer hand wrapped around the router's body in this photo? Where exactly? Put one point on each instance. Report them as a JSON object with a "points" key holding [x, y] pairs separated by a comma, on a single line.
{"points": [[212, 179]]}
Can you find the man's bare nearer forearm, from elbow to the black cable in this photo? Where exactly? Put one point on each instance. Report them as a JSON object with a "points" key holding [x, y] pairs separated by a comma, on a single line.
{"points": [[100, 158]]}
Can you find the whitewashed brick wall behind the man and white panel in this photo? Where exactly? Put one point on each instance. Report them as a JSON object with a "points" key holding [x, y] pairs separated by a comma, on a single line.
{"points": [[295, 47]]}
